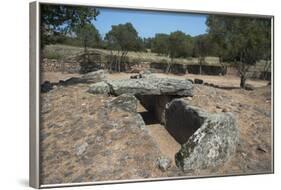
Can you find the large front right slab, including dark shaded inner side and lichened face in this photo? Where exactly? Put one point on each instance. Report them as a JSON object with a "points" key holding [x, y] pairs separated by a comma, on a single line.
{"points": [[208, 140]]}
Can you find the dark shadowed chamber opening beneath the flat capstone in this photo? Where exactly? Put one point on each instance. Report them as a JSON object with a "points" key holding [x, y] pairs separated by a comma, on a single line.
{"points": [[179, 120]]}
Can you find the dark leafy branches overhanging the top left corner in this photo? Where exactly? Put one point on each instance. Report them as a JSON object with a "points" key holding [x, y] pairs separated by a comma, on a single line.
{"points": [[56, 20]]}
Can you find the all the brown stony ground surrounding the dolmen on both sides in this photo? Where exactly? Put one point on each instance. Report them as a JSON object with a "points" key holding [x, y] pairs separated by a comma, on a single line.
{"points": [[85, 140]]}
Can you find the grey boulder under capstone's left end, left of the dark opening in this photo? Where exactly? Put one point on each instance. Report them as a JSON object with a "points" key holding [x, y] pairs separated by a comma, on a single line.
{"points": [[126, 102]]}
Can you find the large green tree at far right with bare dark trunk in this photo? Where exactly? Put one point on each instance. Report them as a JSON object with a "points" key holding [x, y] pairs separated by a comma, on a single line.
{"points": [[242, 37]]}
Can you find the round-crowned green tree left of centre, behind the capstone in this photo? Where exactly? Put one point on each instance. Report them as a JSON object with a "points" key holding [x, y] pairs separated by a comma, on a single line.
{"points": [[123, 38]]}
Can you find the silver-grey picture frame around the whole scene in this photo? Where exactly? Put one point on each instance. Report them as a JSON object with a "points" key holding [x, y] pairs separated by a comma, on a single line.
{"points": [[34, 91]]}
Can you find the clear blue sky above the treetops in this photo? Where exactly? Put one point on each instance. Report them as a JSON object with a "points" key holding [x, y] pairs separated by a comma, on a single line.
{"points": [[148, 23]]}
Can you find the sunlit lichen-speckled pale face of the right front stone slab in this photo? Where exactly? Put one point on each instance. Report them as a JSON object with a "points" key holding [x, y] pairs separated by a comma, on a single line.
{"points": [[211, 145]]}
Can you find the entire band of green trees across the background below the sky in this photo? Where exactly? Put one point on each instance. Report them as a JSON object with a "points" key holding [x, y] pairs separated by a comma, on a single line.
{"points": [[240, 40]]}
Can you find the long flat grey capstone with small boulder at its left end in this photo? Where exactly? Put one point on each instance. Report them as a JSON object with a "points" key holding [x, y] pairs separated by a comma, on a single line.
{"points": [[146, 86]]}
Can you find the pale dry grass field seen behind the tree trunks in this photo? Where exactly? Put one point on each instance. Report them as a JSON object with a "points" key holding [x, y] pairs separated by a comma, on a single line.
{"points": [[63, 53]]}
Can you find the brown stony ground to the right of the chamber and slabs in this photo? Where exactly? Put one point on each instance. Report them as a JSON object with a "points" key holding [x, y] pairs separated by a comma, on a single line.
{"points": [[252, 110]]}
